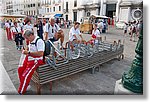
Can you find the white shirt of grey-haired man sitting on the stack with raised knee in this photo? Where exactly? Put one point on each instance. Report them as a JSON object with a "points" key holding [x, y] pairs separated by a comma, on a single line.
{"points": [[51, 30]]}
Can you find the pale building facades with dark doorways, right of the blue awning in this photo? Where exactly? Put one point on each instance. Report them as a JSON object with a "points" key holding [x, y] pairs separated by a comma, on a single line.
{"points": [[119, 10]]}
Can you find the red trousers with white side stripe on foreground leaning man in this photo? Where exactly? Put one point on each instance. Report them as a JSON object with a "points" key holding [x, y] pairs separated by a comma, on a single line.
{"points": [[25, 73]]}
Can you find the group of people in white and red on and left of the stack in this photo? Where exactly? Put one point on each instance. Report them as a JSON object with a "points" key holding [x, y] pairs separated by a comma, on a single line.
{"points": [[24, 30]]}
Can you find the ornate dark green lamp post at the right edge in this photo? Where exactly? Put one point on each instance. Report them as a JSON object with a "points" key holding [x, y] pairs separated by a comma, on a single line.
{"points": [[133, 79]]}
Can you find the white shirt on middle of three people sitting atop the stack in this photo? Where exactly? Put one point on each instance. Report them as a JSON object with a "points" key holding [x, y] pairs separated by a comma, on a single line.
{"points": [[73, 32]]}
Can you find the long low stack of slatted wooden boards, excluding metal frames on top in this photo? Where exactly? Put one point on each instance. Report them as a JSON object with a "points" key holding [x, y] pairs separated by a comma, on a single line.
{"points": [[46, 74]]}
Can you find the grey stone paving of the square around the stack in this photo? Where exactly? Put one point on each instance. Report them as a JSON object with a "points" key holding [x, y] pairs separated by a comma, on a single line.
{"points": [[102, 82]]}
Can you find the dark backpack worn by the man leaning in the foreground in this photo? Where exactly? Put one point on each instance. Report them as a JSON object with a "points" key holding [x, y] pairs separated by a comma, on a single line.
{"points": [[47, 47]]}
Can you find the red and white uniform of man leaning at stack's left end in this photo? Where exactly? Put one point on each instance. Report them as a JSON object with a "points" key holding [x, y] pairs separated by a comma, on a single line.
{"points": [[31, 63]]}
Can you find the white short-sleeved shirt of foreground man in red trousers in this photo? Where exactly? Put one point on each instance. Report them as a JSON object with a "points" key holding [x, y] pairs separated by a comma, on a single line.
{"points": [[40, 46]]}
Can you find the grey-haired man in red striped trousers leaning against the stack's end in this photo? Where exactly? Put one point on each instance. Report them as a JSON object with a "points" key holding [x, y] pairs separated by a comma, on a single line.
{"points": [[34, 58]]}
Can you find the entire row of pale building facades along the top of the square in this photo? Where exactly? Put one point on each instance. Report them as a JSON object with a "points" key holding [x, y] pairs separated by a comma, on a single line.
{"points": [[119, 10]]}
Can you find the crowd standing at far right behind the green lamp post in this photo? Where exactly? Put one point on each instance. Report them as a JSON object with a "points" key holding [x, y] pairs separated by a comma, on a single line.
{"points": [[133, 29]]}
